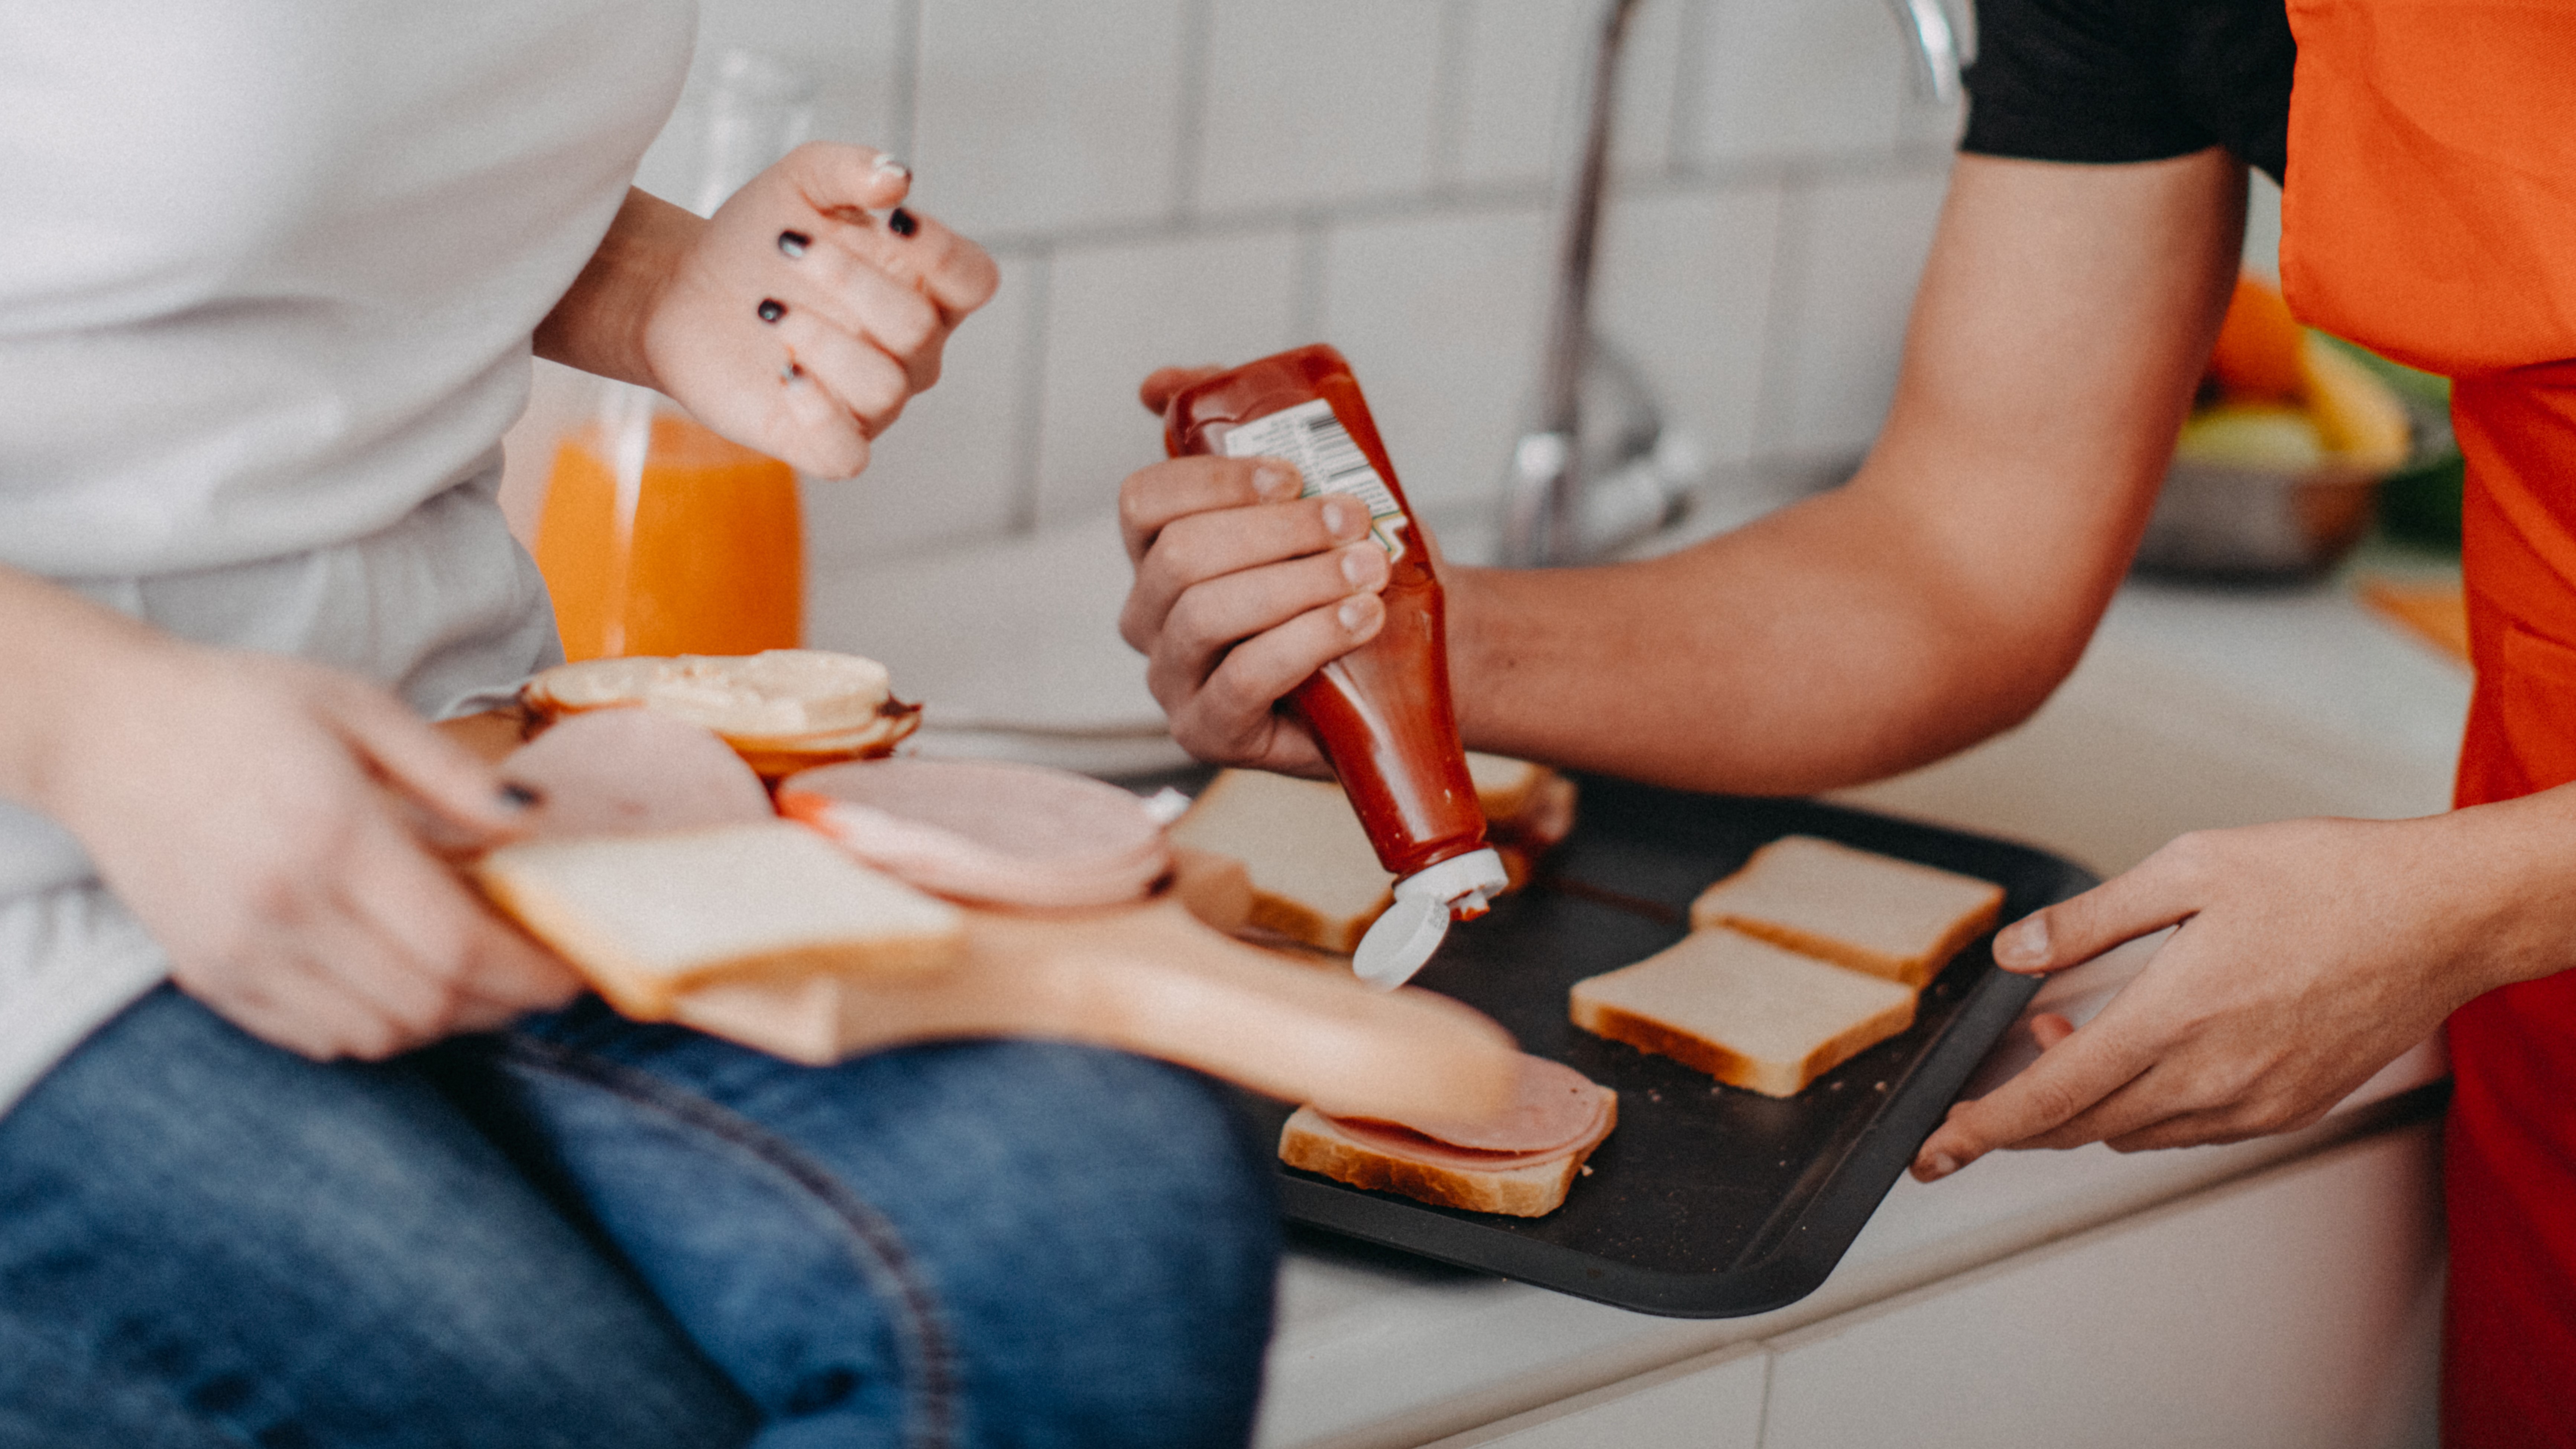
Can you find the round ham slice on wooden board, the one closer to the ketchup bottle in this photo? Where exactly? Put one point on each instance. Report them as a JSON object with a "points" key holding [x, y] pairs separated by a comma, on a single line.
{"points": [[978, 830]]}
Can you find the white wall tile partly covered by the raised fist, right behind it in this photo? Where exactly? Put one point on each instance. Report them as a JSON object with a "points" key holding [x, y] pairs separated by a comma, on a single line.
{"points": [[954, 467]]}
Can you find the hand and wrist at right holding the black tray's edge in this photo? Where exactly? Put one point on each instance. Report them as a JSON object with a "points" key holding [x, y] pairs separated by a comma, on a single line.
{"points": [[2309, 956]]}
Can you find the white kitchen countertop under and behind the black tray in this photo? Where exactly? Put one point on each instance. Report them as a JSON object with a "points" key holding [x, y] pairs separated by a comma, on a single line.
{"points": [[2193, 709]]}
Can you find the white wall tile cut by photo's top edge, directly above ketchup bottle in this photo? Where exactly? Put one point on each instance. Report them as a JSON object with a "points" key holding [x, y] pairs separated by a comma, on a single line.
{"points": [[1318, 102]]}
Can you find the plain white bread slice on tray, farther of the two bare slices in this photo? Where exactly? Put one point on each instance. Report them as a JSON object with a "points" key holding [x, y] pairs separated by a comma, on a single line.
{"points": [[1871, 912]]}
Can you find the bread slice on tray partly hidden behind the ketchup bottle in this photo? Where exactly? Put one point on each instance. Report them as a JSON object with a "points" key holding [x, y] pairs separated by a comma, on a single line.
{"points": [[1315, 876]]}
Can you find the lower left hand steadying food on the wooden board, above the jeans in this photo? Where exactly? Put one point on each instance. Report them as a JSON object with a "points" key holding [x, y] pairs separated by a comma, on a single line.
{"points": [[267, 822]]}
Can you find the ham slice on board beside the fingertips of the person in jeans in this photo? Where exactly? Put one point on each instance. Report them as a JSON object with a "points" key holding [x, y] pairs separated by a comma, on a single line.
{"points": [[632, 771]]}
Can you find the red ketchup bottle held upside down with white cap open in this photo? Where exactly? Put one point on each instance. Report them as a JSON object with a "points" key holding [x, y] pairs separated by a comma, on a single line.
{"points": [[1385, 709]]}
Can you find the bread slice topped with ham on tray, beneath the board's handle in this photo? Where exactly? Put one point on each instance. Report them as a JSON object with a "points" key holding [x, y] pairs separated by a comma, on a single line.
{"points": [[1519, 1162]]}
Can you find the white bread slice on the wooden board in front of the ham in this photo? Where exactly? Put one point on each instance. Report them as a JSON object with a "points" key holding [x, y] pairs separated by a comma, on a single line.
{"points": [[648, 918]]}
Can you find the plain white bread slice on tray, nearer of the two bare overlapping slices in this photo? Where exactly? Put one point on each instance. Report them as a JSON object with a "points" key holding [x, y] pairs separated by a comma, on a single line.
{"points": [[1740, 1010]]}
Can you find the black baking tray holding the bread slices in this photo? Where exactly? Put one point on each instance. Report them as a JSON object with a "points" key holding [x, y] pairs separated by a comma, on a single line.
{"points": [[1707, 1201]]}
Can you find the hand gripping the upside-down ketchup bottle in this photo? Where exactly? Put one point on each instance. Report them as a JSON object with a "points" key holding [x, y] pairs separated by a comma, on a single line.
{"points": [[1243, 591]]}
